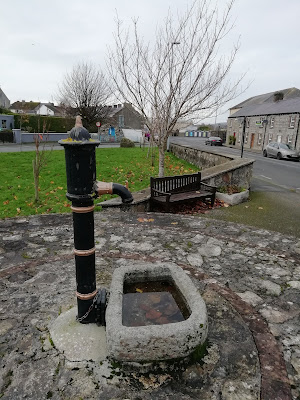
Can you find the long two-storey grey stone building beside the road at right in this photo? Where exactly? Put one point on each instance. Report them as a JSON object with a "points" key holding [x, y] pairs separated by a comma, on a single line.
{"points": [[270, 117]]}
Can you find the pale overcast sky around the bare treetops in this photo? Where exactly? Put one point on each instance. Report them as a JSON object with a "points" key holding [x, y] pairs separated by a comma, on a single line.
{"points": [[41, 41]]}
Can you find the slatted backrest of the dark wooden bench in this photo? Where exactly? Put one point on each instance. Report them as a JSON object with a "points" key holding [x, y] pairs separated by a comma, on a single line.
{"points": [[176, 184]]}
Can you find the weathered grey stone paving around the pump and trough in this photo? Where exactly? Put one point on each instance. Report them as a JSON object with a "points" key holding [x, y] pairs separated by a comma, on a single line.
{"points": [[249, 278]]}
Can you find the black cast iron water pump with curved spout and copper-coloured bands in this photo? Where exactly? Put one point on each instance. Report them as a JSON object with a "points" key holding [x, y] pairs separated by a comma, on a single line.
{"points": [[82, 188]]}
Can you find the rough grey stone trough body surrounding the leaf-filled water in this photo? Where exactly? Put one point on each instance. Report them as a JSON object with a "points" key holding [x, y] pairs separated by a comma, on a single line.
{"points": [[154, 342]]}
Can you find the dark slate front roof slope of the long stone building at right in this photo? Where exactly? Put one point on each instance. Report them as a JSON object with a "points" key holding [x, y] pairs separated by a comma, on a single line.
{"points": [[290, 106]]}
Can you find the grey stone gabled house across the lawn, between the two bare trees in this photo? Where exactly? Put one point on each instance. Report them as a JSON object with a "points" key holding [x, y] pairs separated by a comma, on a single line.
{"points": [[124, 116]]}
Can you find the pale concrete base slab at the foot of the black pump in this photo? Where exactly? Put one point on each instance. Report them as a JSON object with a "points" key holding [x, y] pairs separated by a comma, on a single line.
{"points": [[78, 342]]}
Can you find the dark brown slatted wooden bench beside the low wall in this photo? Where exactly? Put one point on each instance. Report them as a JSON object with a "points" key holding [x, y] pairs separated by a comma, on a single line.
{"points": [[177, 189]]}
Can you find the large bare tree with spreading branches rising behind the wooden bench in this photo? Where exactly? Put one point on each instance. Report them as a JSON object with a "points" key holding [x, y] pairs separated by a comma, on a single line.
{"points": [[181, 74]]}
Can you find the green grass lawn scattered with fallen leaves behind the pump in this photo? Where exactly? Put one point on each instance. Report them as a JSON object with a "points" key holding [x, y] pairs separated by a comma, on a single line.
{"points": [[113, 165]]}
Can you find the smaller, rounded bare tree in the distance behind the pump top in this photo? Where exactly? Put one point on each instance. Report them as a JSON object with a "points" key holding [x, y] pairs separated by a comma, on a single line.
{"points": [[84, 91]]}
